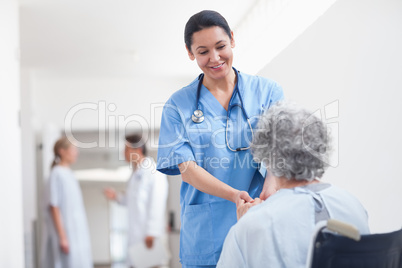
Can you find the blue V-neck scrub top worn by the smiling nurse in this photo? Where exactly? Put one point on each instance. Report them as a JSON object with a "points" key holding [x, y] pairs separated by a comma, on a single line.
{"points": [[206, 219]]}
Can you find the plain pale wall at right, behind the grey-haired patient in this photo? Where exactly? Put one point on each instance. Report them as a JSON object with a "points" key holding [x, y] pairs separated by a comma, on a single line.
{"points": [[353, 54]]}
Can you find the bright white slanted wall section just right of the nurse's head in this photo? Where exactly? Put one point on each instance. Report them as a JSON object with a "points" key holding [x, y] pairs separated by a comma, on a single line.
{"points": [[270, 26]]}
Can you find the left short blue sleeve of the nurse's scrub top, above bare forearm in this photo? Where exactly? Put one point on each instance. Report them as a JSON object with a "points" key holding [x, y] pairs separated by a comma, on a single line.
{"points": [[174, 146]]}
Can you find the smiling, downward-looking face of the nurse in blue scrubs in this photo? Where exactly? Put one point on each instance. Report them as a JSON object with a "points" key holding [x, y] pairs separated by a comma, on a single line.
{"points": [[212, 49]]}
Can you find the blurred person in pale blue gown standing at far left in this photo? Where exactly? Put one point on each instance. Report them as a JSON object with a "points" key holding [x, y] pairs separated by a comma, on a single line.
{"points": [[67, 241]]}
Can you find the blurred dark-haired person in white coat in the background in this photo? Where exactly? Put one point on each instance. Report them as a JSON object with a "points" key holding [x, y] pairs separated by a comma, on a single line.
{"points": [[145, 198]]}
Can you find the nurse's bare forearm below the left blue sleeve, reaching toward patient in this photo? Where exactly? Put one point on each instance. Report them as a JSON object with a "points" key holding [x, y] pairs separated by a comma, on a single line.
{"points": [[202, 180]]}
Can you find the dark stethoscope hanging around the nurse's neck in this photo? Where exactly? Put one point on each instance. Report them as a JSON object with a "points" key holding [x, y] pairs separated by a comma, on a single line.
{"points": [[198, 115]]}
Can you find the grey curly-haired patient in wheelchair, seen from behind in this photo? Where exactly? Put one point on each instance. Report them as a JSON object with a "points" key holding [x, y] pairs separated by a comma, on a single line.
{"points": [[294, 146]]}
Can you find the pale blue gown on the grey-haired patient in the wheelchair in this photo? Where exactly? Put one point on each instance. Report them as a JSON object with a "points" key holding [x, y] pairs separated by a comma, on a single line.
{"points": [[277, 233]]}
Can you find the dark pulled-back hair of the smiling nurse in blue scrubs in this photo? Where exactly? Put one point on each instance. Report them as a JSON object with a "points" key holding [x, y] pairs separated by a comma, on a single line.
{"points": [[202, 20]]}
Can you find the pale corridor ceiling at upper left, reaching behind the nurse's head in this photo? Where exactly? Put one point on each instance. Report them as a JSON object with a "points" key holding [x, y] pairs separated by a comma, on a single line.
{"points": [[113, 38]]}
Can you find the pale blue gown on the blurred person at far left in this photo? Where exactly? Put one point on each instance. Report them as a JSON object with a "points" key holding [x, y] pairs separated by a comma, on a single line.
{"points": [[63, 191]]}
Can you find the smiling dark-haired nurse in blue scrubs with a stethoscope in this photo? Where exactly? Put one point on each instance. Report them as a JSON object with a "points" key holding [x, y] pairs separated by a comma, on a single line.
{"points": [[205, 136]]}
